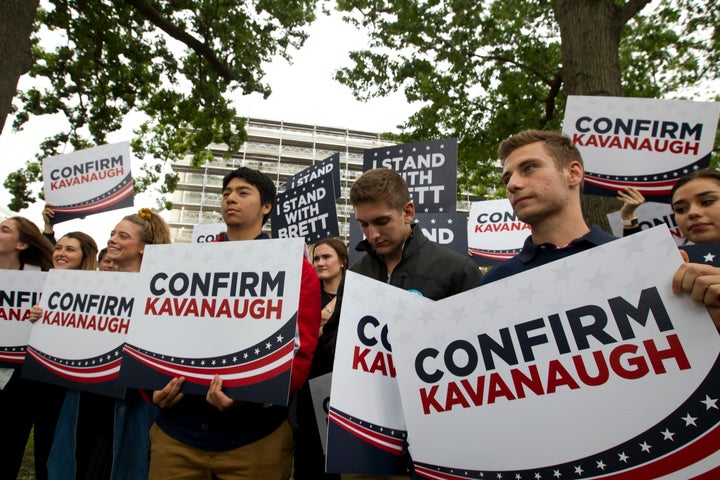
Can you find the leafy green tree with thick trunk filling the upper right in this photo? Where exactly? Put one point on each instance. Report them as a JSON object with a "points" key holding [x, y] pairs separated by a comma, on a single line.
{"points": [[484, 70]]}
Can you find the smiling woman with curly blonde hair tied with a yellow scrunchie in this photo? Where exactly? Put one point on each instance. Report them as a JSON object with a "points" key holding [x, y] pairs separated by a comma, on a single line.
{"points": [[99, 437]]}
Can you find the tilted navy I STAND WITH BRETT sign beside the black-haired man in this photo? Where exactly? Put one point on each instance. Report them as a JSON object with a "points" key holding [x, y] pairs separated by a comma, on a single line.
{"points": [[307, 211]]}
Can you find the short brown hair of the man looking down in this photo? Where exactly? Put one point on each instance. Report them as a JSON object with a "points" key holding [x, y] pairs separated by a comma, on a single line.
{"points": [[380, 185]]}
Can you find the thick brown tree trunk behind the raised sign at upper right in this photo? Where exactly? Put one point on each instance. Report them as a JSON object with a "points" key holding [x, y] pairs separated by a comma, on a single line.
{"points": [[590, 35]]}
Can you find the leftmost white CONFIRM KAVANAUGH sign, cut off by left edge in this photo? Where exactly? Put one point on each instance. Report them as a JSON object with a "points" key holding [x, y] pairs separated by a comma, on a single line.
{"points": [[19, 291]]}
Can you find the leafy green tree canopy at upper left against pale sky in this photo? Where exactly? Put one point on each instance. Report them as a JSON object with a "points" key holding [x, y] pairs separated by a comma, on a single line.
{"points": [[179, 63]]}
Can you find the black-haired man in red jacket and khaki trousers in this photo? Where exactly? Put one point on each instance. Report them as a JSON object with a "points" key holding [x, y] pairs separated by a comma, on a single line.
{"points": [[216, 435]]}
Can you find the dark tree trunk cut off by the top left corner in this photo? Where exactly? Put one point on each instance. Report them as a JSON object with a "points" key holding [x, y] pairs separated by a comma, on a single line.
{"points": [[16, 22]]}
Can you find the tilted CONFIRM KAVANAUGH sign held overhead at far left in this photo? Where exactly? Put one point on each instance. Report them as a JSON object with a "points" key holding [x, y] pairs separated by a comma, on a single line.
{"points": [[92, 180]]}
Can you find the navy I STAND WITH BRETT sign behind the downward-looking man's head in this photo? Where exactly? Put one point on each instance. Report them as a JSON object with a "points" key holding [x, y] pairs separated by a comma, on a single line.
{"points": [[429, 168]]}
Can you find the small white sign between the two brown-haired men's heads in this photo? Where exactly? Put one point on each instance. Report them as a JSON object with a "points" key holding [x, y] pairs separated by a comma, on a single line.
{"points": [[494, 232]]}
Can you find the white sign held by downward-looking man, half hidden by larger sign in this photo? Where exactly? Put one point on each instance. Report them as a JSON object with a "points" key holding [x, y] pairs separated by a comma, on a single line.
{"points": [[366, 429]]}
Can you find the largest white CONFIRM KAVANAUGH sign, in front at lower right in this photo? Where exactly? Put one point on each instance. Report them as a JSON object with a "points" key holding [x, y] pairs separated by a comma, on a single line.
{"points": [[587, 367]]}
